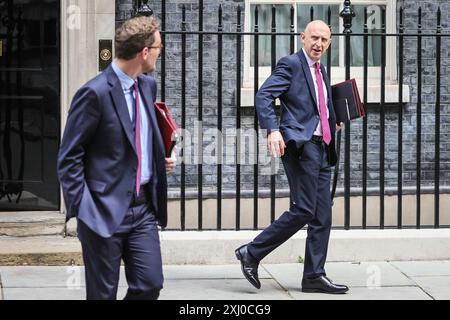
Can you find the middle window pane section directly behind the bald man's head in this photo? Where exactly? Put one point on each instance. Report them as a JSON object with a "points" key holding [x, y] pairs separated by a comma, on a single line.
{"points": [[321, 13]]}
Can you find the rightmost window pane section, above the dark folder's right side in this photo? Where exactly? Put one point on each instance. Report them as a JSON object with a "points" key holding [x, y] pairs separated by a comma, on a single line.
{"points": [[374, 25]]}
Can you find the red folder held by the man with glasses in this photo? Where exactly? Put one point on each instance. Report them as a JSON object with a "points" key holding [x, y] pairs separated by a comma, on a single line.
{"points": [[167, 126]]}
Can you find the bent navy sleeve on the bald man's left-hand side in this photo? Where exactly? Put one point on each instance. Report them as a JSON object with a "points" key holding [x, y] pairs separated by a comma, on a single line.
{"points": [[276, 85]]}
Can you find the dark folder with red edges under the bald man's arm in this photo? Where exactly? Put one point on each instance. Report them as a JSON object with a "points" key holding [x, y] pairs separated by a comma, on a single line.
{"points": [[347, 102]]}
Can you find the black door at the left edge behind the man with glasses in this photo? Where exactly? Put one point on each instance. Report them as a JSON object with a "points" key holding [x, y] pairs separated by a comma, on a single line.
{"points": [[29, 104]]}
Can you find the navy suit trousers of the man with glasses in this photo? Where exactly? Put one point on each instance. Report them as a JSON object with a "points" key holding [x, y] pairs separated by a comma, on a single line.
{"points": [[136, 242]]}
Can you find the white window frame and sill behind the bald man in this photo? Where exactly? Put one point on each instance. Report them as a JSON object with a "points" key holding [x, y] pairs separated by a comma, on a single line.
{"points": [[338, 73]]}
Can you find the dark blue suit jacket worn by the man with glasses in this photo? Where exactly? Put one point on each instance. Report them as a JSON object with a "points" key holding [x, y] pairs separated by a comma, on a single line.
{"points": [[97, 161]]}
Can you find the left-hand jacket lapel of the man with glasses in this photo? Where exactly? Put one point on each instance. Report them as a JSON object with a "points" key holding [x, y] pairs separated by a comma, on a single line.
{"points": [[120, 104]]}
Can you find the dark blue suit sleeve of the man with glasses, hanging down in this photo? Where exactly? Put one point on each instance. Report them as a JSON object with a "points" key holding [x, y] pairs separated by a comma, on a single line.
{"points": [[83, 119]]}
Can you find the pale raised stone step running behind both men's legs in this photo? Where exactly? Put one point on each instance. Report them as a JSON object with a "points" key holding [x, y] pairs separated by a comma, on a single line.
{"points": [[216, 248]]}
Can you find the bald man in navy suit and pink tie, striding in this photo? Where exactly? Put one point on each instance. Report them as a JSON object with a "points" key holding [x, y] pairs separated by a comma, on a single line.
{"points": [[305, 139]]}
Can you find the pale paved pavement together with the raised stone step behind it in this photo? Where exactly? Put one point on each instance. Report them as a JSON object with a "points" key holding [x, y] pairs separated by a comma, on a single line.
{"points": [[202, 266]]}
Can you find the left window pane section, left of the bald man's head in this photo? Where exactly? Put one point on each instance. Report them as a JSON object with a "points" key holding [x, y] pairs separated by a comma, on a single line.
{"points": [[265, 25]]}
